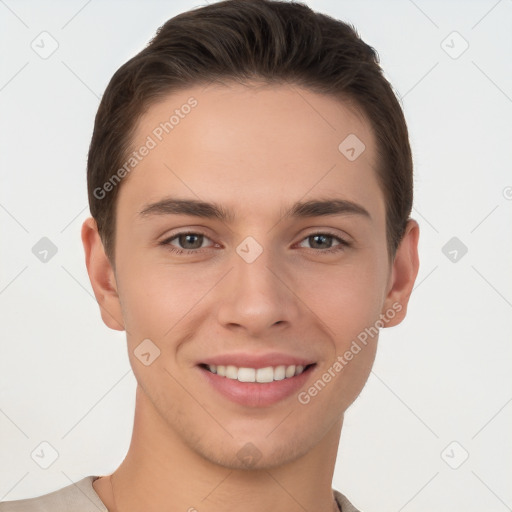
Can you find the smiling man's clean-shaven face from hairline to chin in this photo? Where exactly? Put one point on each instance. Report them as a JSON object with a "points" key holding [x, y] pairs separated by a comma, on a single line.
{"points": [[280, 277]]}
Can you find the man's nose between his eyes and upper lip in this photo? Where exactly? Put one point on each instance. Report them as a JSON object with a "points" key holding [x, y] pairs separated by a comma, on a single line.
{"points": [[257, 296]]}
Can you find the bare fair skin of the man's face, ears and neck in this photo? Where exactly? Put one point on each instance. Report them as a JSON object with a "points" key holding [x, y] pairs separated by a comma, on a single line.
{"points": [[255, 150]]}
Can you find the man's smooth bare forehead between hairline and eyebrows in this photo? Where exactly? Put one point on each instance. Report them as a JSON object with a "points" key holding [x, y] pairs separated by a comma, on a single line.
{"points": [[249, 146]]}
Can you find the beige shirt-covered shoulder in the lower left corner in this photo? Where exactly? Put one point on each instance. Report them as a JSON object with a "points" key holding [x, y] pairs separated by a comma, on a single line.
{"points": [[76, 497]]}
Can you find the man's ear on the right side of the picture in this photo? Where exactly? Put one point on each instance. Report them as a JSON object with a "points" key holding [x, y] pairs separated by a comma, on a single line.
{"points": [[403, 275]]}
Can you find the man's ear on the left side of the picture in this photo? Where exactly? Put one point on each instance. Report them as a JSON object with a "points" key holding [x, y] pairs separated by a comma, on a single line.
{"points": [[102, 276]]}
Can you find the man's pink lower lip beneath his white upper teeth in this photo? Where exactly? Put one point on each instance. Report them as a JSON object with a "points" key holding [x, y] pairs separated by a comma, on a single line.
{"points": [[256, 394]]}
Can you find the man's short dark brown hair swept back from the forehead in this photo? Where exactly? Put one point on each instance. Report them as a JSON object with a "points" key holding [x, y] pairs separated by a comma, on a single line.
{"points": [[242, 40]]}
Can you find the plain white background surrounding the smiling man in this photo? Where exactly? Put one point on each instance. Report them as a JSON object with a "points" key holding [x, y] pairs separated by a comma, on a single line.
{"points": [[441, 376]]}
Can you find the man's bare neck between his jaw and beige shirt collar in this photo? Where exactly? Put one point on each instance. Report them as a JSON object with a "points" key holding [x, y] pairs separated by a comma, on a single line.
{"points": [[160, 472]]}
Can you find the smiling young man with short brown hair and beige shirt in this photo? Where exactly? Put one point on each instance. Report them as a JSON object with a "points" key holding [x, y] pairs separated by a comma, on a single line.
{"points": [[250, 185]]}
